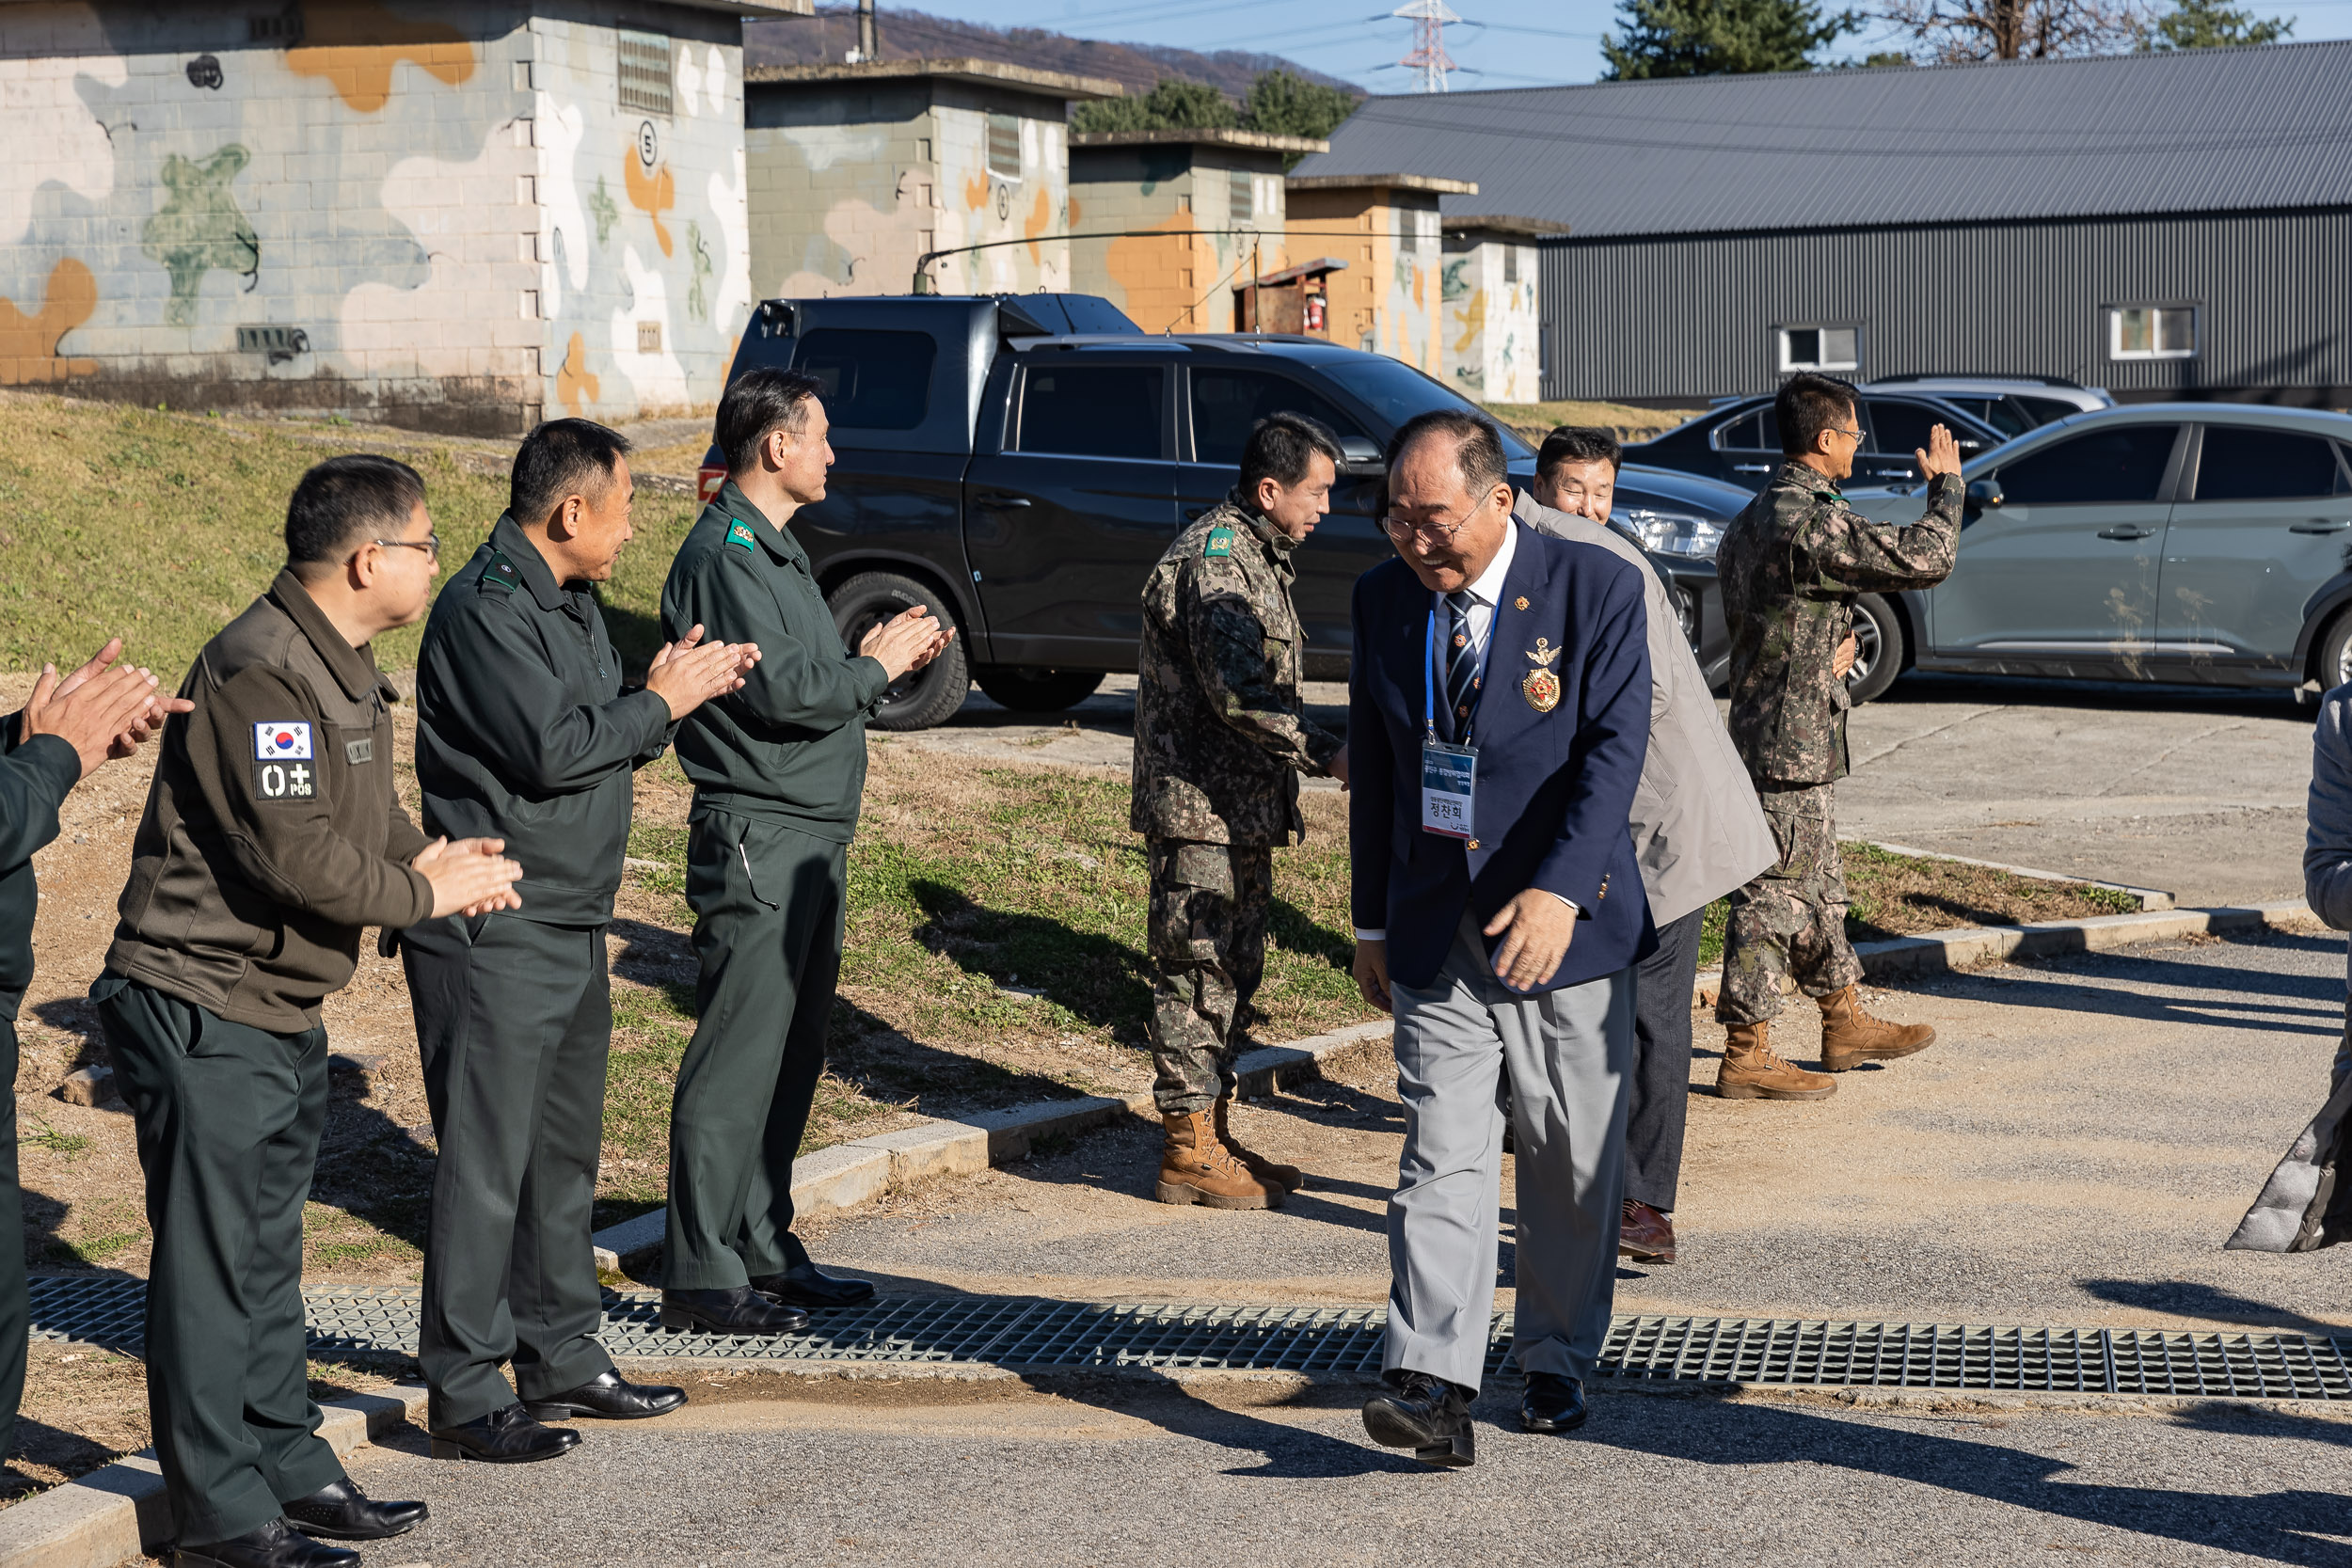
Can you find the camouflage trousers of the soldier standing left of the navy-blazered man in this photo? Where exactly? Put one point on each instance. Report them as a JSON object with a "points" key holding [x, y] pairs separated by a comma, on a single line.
{"points": [[1208, 949]]}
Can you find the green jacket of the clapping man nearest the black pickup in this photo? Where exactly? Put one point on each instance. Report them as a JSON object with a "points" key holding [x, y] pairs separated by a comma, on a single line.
{"points": [[791, 744]]}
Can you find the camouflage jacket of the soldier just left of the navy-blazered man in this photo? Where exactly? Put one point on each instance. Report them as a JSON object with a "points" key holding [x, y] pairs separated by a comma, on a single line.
{"points": [[1222, 735]]}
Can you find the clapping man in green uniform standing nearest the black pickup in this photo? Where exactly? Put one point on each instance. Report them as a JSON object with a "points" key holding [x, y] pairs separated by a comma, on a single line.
{"points": [[777, 772]]}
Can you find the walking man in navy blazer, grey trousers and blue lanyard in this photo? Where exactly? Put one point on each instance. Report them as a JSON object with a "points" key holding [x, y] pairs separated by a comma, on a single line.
{"points": [[1497, 725]]}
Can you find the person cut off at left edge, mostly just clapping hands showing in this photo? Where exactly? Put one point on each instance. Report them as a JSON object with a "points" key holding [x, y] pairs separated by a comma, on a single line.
{"points": [[65, 730]]}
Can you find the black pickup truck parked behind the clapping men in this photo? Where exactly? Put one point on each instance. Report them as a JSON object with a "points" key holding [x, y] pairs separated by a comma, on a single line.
{"points": [[1022, 462]]}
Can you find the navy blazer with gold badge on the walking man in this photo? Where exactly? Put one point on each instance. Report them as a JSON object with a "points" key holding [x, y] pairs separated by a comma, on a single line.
{"points": [[1553, 789]]}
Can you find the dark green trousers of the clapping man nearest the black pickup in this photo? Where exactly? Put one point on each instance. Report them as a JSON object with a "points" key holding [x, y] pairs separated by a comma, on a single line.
{"points": [[768, 930]]}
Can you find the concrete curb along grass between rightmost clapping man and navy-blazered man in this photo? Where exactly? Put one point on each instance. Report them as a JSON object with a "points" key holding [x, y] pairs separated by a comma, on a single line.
{"points": [[857, 1172]]}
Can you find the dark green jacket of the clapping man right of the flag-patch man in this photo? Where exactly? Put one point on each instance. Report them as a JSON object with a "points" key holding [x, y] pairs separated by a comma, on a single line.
{"points": [[523, 730]]}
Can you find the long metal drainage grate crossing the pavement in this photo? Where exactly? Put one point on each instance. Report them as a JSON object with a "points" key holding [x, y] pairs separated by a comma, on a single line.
{"points": [[1034, 1332]]}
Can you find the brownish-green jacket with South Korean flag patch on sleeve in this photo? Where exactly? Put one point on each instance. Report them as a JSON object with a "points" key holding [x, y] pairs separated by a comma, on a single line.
{"points": [[274, 831]]}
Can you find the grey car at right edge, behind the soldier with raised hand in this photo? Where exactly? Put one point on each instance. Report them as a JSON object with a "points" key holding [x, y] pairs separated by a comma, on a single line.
{"points": [[2193, 542]]}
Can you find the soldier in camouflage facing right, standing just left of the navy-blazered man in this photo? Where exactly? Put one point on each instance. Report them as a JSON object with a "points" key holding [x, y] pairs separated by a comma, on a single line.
{"points": [[1220, 746]]}
